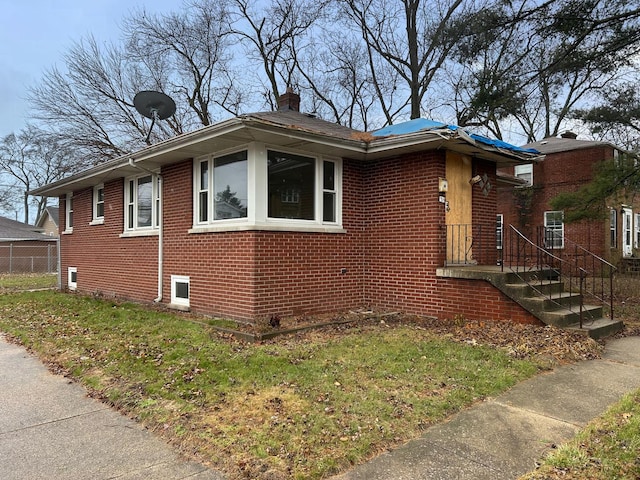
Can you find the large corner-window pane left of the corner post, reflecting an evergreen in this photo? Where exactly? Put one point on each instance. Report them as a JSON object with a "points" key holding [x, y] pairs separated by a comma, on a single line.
{"points": [[230, 183]]}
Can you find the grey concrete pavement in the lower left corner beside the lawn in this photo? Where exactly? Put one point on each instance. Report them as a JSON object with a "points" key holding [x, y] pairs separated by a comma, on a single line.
{"points": [[50, 429]]}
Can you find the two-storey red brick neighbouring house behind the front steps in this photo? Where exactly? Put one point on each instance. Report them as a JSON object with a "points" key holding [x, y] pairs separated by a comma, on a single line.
{"points": [[568, 165]]}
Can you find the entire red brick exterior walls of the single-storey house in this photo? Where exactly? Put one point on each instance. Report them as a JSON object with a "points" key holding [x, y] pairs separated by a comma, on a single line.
{"points": [[386, 260]]}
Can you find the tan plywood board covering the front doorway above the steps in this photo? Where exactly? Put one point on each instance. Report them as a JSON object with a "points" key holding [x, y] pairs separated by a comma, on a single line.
{"points": [[458, 215]]}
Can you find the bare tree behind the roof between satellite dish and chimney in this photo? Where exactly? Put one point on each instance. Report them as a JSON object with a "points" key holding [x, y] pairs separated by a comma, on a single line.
{"points": [[188, 55]]}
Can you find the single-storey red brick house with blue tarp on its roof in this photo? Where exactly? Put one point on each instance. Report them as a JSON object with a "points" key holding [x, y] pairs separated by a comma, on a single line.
{"points": [[281, 213]]}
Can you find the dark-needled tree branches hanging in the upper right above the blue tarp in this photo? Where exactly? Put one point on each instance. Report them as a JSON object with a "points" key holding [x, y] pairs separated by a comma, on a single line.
{"points": [[533, 63]]}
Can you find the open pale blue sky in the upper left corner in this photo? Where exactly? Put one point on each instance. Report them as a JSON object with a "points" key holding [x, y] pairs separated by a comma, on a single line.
{"points": [[35, 35]]}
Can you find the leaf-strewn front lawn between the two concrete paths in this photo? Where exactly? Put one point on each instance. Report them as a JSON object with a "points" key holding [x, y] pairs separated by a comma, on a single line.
{"points": [[304, 406]]}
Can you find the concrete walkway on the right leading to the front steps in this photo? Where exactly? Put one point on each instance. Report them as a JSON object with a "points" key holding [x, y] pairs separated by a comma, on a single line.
{"points": [[502, 438]]}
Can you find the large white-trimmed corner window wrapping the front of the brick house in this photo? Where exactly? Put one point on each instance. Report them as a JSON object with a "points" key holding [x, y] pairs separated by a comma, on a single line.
{"points": [[264, 188]]}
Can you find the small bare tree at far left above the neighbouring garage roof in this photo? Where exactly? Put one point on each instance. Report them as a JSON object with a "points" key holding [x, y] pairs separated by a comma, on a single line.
{"points": [[31, 159]]}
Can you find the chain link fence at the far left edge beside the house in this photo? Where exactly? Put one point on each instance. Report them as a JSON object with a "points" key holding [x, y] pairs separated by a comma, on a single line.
{"points": [[29, 257]]}
